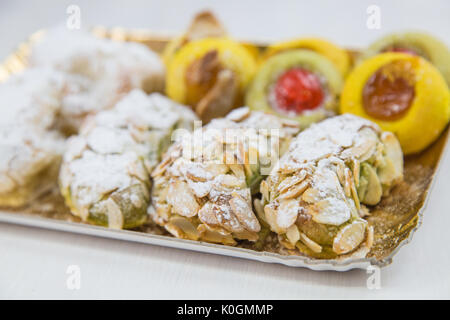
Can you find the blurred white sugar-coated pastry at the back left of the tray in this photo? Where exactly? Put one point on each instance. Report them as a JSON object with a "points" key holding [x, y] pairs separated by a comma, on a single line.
{"points": [[101, 71]]}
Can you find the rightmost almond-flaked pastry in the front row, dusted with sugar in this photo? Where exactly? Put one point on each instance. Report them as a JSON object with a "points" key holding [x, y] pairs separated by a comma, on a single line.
{"points": [[315, 198]]}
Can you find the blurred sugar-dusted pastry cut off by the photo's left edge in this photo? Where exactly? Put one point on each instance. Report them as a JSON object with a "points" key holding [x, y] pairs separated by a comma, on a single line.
{"points": [[30, 149]]}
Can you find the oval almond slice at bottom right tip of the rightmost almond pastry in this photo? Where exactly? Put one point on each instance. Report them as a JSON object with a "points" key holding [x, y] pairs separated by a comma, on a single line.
{"points": [[349, 237]]}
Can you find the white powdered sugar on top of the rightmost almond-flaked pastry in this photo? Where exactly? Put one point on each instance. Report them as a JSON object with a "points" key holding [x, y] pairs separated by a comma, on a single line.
{"points": [[319, 150]]}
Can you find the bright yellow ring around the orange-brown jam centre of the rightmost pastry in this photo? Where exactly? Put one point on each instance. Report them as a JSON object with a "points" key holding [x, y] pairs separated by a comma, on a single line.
{"points": [[429, 112]]}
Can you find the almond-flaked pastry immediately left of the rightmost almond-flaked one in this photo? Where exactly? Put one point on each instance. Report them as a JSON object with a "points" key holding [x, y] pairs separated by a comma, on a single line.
{"points": [[203, 186]]}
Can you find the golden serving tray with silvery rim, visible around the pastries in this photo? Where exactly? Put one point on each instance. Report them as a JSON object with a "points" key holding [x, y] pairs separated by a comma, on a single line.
{"points": [[395, 218]]}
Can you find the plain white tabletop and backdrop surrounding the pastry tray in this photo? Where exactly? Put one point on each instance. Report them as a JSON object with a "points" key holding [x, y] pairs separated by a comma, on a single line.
{"points": [[33, 262]]}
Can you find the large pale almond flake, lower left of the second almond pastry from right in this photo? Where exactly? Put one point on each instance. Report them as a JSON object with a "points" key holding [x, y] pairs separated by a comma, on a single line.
{"points": [[182, 200]]}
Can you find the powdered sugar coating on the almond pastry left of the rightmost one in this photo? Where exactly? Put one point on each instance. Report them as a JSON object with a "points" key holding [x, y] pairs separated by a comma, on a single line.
{"points": [[216, 167]]}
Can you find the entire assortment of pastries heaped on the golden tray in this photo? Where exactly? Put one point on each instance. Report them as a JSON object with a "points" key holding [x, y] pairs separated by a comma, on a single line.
{"points": [[300, 139]]}
